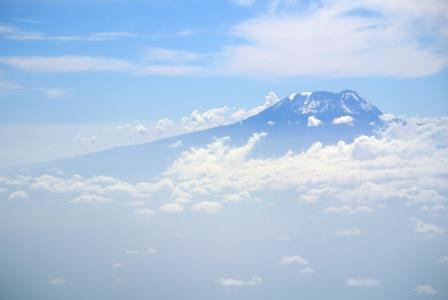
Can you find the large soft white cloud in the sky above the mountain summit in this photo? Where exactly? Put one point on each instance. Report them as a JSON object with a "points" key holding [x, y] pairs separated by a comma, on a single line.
{"points": [[342, 38]]}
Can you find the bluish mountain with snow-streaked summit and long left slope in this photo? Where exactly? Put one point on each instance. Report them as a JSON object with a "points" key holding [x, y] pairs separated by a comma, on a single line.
{"points": [[292, 123]]}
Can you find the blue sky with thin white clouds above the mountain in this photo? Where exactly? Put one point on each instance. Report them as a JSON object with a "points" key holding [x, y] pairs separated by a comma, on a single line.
{"points": [[102, 62]]}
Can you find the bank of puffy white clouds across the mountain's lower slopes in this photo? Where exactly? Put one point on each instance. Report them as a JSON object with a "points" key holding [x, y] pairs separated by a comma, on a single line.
{"points": [[405, 162]]}
